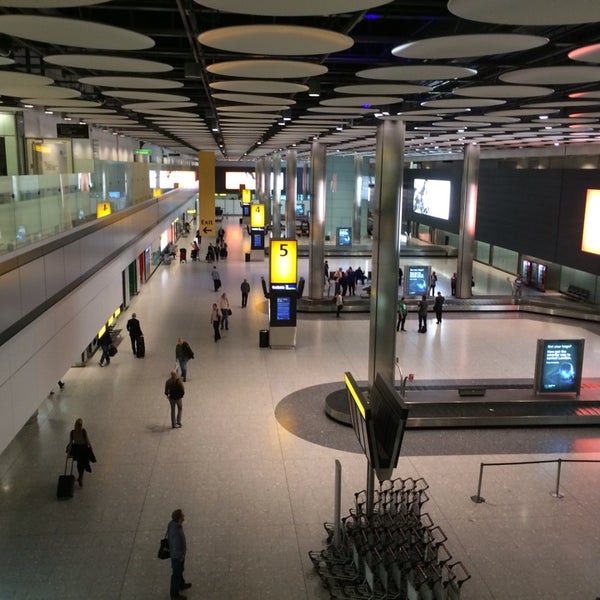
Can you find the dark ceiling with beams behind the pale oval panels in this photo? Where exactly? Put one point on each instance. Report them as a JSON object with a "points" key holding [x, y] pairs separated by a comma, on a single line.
{"points": [[174, 25]]}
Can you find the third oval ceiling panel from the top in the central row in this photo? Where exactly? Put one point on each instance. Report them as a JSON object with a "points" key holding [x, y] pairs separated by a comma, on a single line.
{"points": [[267, 69]]}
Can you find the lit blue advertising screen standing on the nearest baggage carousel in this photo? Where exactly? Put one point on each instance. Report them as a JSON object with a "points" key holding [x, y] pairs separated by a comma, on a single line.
{"points": [[558, 366]]}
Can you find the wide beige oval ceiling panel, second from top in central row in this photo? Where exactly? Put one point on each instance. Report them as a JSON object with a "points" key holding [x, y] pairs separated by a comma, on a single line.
{"points": [[276, 40]]}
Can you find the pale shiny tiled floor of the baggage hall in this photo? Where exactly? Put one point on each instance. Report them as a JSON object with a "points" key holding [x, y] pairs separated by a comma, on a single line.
{"points": [[255, 487]]}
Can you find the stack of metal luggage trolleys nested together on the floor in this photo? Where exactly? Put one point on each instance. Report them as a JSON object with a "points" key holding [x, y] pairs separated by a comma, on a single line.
{"points": [[395, 553]]}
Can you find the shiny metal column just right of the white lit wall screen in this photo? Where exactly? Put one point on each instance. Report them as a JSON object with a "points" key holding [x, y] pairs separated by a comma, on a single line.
{"points": [[468, 217]]}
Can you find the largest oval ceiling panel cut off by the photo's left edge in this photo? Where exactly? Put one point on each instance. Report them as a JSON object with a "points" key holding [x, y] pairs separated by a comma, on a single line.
{"points": [[73, 32]]}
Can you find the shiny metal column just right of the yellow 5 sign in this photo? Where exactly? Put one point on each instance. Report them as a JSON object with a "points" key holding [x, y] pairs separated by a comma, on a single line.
{"points": [[316, 257]]}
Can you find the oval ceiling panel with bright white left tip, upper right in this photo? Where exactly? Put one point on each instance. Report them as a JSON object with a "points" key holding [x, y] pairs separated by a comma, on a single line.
{"points": [[463, 46]]}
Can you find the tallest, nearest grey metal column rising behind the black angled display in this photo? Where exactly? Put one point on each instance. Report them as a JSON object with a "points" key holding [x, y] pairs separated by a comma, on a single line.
{"points": [[387, 210]]}
